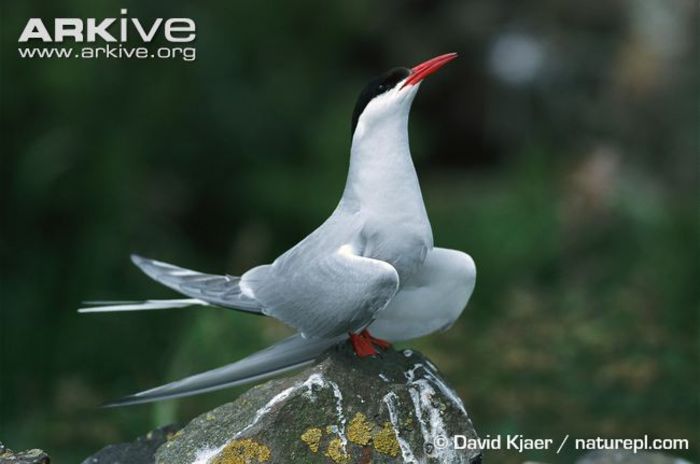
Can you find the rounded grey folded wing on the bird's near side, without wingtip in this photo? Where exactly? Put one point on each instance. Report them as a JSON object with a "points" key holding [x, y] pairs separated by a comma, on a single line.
{"points": [[326, 296]]}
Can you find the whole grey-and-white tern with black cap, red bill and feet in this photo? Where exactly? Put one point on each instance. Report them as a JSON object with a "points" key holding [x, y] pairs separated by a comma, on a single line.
{"points": [[369, 273]]}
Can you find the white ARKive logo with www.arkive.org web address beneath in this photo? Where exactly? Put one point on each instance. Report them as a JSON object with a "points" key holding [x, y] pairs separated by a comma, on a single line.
{"points": [[114, 33]]}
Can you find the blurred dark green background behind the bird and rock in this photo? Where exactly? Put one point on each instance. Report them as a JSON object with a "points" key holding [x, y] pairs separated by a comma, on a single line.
{"points": [[559, 150]]}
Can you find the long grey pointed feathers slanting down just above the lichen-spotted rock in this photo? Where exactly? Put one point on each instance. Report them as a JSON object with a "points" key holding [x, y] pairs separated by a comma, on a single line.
{"points": [[290, 353]]}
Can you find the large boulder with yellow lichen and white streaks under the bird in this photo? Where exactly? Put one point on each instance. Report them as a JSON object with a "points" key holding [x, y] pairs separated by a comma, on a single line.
{"points": [[340, 410]]}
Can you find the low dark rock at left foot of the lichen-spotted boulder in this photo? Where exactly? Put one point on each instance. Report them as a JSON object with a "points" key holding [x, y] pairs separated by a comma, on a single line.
{"points": [[141, 451]]}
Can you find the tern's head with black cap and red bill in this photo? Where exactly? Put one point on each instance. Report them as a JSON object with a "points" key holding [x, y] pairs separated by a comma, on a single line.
{"points": [[390, 95]]}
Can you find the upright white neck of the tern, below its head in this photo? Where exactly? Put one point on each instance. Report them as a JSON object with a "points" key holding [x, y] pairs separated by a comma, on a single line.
{"points": [[381, 170]]}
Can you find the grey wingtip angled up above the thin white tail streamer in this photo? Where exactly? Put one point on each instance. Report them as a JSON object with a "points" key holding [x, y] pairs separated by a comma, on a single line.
{"points": [[221, 290]]}
